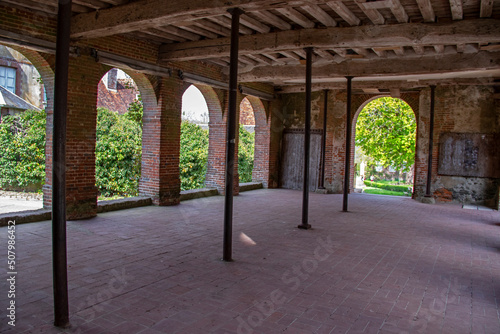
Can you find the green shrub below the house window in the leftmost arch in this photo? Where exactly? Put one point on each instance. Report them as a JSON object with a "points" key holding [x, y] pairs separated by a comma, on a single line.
{"points": [[22, 153]]}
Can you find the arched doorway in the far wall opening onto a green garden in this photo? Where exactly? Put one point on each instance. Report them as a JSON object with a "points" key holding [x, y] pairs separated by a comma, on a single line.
{"points": [[384, 157]]}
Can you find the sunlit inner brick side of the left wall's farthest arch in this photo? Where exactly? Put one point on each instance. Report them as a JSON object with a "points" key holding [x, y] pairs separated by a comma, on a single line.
{"points": [[260, 171]]}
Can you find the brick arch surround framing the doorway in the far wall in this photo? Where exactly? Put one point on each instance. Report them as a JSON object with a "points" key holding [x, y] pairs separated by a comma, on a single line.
{"points": [[359, 103]]}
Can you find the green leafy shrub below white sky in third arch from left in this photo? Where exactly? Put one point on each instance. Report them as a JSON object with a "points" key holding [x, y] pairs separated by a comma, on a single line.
{"points": [[193, 156]]}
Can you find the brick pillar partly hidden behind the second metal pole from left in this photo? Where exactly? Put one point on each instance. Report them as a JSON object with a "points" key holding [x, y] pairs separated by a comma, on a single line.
{"points": [[216, 169]]}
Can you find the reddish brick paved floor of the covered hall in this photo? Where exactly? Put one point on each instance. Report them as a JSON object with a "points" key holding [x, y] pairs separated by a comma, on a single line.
{"points": [[390, 265]]}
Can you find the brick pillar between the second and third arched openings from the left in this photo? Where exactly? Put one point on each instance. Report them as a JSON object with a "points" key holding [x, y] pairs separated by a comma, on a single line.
{"points": [[161, 144]]}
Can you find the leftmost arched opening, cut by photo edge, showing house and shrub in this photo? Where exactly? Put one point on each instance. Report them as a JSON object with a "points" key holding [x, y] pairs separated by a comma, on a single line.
{"points": [[25, 127]]}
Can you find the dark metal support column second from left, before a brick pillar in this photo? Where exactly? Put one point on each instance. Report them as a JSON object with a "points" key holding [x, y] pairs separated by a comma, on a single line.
{"points": [[231, 134]]}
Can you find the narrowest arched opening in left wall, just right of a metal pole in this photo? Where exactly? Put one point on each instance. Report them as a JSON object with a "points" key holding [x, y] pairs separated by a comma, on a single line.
{"points": [[246, 142]]}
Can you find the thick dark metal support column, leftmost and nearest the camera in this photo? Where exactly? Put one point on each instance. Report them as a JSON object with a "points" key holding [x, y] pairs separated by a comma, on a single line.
{"points": [[59, 255]]}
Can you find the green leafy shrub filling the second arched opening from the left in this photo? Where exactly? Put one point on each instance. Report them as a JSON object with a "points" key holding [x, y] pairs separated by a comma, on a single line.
{"points": [[118, 154]]}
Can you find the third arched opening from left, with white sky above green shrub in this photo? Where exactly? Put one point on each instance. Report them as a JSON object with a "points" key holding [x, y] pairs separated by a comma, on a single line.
{"points": [[194, 139]]}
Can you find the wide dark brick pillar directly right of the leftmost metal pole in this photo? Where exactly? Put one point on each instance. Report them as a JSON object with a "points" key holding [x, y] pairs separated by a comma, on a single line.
{"points": [[81, 192]]}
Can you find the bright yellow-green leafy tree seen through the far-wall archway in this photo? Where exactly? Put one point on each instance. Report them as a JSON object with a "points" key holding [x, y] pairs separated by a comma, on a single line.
{"points": [[385, 131]]}
